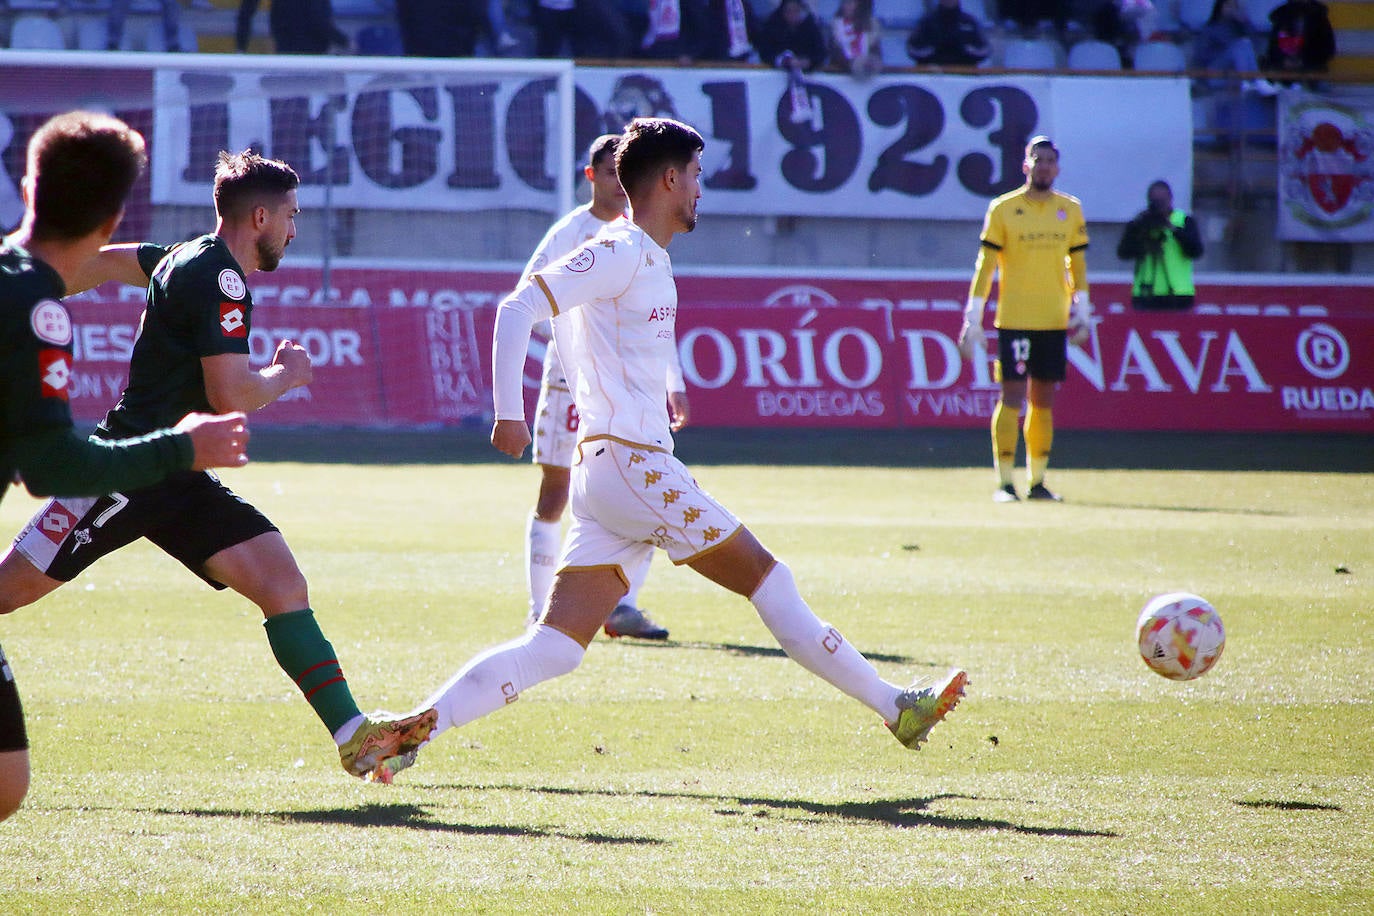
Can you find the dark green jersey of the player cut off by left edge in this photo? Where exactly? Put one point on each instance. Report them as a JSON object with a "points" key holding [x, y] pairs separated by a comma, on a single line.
{"points": [[38, 442]]}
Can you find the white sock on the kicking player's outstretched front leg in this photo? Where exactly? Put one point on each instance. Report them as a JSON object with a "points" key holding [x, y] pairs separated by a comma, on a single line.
{"points": [[820, 648]]}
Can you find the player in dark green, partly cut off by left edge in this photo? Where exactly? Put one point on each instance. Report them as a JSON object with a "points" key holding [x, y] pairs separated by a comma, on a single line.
{"points": [[80, 168]]}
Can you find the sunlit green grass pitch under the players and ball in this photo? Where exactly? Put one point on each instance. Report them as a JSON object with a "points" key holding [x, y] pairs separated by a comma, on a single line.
{"points": [[178, 771]]}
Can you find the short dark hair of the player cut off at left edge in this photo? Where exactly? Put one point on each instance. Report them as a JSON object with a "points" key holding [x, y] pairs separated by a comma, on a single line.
{"points": [[82, 167]]}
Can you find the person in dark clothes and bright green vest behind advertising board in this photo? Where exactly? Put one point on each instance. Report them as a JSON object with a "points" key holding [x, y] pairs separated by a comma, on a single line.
{"points": [[1163, 242]]}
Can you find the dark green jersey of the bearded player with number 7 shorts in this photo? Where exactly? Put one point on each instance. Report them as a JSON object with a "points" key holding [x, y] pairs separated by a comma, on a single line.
{"points": [[199, 306]]}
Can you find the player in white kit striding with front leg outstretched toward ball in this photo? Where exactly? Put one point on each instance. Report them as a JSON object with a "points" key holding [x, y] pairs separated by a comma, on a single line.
{"points": [[615, 304]]}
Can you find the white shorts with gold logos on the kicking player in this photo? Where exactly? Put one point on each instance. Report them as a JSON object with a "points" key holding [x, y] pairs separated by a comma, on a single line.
{"points": [[627, 501]]}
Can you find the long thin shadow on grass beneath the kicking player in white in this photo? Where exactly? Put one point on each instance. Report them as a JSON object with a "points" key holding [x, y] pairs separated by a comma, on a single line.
{"points": [[890, 812]]}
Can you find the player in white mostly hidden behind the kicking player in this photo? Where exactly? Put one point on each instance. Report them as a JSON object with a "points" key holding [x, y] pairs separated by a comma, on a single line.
{"points": [[556, 417]]}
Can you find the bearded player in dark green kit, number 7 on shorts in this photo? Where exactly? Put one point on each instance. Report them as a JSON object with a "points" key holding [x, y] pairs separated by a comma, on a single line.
{"points": [[193, 355]]}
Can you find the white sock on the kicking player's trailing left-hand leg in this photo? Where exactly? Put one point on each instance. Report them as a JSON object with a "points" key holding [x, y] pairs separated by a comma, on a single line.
{"points": [[498, 676]]}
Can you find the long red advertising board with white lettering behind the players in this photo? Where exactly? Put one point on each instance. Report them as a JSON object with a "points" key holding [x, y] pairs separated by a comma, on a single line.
{"points": [[412, 348]]}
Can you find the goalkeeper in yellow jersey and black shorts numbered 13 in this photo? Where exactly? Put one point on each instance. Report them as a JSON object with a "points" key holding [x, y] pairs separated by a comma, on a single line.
{"points": [[1034, 240]]}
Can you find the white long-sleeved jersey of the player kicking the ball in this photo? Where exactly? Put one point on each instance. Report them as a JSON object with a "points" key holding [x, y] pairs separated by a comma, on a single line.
{"points": [[615, 307]]}
